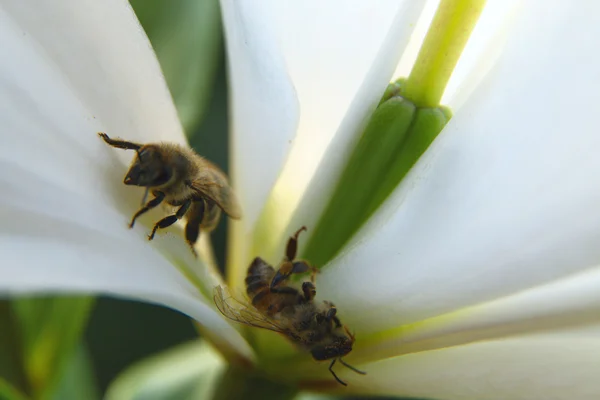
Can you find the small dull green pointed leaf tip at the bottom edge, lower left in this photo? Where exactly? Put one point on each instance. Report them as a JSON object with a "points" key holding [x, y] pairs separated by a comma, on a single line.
{"points": [[77, 380]]}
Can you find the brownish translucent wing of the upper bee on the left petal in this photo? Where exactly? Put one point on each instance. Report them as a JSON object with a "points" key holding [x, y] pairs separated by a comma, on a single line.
{"points": [[213, 184]]}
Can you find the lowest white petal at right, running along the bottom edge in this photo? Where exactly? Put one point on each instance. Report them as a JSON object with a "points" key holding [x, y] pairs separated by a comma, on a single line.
{"points": [[559, 366]]}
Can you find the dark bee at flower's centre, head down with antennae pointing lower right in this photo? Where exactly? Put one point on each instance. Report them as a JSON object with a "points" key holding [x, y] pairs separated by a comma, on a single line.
{"points": [[281, 308]]}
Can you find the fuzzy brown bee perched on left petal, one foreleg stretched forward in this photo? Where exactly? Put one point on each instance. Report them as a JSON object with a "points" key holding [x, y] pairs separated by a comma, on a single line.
{"points": [[176, 175]]}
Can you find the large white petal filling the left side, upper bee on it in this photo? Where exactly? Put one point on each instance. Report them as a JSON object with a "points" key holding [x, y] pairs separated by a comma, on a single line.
{"points": [[61, 186]]}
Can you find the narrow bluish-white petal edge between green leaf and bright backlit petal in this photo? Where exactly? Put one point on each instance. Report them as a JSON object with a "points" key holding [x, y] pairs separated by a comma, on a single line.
{"points": [[264, 105]]}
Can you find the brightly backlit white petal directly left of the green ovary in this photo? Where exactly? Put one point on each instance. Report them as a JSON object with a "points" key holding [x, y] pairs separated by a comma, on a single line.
{"points": [[340, 68]]}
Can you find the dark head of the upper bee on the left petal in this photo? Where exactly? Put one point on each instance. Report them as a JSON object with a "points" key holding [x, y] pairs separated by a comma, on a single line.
{"points": [[148, 169]]}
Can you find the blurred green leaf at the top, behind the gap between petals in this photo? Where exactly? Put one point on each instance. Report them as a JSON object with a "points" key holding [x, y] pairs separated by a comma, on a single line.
{"points": [[186, 36]]}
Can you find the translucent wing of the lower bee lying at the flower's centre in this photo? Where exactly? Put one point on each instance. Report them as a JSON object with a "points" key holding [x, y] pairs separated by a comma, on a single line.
{"points": [[238, 311]]}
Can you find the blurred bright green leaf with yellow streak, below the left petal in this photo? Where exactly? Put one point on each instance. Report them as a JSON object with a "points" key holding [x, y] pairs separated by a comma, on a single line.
{"points": [[51, 329]]}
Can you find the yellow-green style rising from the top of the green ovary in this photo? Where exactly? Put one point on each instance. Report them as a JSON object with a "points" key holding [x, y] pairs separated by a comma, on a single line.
{"points": [[447, 36]]}
